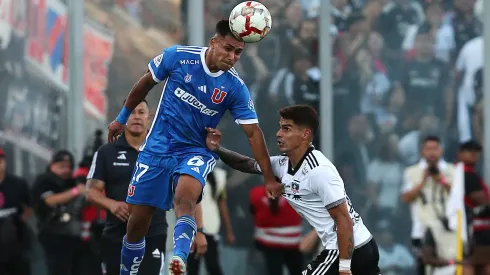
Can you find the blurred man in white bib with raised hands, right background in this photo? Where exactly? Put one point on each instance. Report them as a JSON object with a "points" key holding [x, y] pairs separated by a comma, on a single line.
{"points": [[426, 187]]}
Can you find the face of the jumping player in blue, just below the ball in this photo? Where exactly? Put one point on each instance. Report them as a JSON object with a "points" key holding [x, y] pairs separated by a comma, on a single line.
{"points": [[226, 52]]}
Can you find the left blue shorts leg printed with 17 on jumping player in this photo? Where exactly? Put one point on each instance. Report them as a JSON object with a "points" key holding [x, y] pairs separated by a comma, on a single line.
{"points": [[151, 181]]}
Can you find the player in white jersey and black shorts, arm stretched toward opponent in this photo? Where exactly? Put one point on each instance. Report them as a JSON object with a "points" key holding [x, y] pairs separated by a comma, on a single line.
{"points": [[316, 191]]}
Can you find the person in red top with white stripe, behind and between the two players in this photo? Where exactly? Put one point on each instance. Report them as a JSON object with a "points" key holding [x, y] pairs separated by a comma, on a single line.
{"points": [[277, 232]]}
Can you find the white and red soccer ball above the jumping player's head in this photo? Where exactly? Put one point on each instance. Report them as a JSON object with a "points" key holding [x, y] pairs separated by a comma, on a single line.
{"points": [[250, 21]]}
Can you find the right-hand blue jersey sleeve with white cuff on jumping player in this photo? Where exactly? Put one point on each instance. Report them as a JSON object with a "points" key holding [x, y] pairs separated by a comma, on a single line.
{"points": [[242, 107]]}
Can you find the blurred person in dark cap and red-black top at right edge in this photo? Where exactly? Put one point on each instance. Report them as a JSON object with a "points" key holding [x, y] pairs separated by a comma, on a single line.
{"points": [[477, 203]]}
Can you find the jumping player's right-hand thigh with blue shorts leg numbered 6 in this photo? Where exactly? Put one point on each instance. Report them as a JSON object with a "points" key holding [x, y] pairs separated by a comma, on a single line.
{"points": [[190, 175]]}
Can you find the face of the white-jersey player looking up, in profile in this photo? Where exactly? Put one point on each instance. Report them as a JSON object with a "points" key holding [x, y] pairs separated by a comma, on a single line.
{"points": [[291, 136]]}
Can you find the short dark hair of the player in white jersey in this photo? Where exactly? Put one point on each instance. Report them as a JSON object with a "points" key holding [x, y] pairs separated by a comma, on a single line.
{"points": [[302, 115]]}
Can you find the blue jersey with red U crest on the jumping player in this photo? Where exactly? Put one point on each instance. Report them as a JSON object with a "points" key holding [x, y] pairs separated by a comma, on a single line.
{"points": [[192, 99]]}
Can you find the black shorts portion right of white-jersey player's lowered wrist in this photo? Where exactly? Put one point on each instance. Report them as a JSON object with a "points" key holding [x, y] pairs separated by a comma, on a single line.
{"points": [[365, 259]]}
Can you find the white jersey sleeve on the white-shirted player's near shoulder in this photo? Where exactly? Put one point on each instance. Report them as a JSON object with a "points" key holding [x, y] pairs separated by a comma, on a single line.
{"points": [[327, 183]]}
